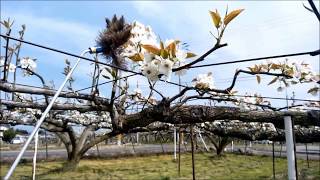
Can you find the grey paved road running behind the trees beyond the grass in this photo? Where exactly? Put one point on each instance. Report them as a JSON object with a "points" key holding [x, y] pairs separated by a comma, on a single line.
{"points": [[128, 150]]}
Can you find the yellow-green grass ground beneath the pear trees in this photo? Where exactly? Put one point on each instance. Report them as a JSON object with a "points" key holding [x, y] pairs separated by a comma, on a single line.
{"points": [[208, 166]]}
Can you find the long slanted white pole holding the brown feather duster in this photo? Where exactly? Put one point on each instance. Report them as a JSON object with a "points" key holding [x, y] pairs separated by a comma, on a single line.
{"points": [[42, 118]]}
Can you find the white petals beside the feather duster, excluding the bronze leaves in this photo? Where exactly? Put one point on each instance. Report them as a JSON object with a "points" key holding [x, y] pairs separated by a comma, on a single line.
{"points": [[152, 66]]}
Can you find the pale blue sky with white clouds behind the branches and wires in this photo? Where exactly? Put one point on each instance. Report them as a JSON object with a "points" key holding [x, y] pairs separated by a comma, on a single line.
{"points": [[265, 28]]}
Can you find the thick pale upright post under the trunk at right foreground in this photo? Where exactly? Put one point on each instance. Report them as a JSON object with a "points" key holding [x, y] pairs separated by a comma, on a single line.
{"points": [[289, 147]]}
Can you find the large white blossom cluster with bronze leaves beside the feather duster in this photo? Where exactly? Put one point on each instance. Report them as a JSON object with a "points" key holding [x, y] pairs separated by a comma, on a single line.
{"points": [[156, 59]]}
